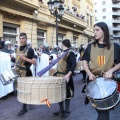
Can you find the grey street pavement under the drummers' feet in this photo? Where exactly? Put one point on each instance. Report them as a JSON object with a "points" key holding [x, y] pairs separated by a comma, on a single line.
{"points": [[79, 111]]}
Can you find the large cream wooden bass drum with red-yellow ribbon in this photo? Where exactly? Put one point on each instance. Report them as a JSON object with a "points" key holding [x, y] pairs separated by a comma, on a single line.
{"points": [[33, 90]]}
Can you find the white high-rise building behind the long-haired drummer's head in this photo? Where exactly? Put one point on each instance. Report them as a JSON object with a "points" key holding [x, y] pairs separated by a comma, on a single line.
{"points": [[109, 13]]}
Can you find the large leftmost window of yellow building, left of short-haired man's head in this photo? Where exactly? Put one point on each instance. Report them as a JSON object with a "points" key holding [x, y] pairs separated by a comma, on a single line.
{"points": [[11, 32]]}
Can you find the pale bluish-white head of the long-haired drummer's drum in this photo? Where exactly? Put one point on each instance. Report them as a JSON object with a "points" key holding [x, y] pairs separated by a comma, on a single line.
{"points": [[101, 88]]}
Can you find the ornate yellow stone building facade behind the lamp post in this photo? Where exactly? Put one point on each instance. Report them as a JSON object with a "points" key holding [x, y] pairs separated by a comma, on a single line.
{"points": [[34, 18]]}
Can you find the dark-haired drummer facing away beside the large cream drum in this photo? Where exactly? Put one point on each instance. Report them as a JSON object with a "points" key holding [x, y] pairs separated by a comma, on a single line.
{"points": [[70, 67]]}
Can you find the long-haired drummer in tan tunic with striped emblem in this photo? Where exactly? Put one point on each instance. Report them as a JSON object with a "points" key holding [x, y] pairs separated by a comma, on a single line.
{"points": [[101, 56]]}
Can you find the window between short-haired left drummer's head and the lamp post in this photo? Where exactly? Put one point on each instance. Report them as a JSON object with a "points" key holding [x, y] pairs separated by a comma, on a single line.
{"points": [[41, 37]]}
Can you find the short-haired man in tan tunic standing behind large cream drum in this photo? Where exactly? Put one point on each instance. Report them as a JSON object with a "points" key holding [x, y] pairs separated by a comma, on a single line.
{"points": [[24, 58]]}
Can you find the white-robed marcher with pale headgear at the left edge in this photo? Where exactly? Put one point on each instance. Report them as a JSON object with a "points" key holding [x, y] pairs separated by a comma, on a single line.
{"points": [[5, 64]]}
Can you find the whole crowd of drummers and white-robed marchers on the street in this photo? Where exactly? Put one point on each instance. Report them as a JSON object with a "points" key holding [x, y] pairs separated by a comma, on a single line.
{"points": [[100, 58]]}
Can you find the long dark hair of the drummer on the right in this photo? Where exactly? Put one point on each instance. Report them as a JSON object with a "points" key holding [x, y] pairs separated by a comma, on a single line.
{"points": [[105, 29]]}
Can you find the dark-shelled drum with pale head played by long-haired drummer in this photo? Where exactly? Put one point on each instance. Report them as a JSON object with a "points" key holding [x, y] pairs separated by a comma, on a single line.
{"points": [[103, 93]]}
